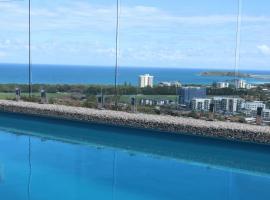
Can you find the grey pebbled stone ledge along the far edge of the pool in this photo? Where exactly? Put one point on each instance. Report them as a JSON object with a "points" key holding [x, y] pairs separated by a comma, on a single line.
{"points": [[170, 124]]}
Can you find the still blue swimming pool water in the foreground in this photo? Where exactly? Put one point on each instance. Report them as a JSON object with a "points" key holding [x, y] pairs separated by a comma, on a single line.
{"points": [[43, 159]]}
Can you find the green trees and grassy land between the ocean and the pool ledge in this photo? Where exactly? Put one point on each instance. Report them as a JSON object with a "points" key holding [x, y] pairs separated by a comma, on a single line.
{"points": [[86, 96]]}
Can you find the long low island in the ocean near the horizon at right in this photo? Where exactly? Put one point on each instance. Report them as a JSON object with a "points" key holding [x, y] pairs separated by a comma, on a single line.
{"points": [[232, 74]]}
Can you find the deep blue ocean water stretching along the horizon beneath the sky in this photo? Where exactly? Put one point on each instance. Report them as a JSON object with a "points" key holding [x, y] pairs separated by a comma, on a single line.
{"points": [[14, 73]]}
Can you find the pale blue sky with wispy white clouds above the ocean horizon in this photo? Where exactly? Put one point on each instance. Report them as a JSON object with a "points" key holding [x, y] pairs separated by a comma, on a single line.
{"points": [[153, 33]]}
